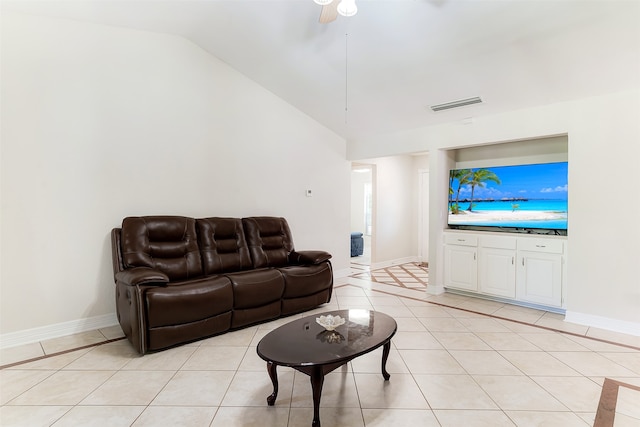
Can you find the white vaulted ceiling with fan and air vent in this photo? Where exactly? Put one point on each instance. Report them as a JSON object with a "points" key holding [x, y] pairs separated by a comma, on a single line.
{"points": [[380, 70]]}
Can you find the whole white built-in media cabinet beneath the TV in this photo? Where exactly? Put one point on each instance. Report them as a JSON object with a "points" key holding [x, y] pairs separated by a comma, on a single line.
{"points": [[523, 269]]}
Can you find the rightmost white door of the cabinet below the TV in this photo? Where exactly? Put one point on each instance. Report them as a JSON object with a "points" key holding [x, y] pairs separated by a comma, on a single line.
{"points": [[540, 278]]}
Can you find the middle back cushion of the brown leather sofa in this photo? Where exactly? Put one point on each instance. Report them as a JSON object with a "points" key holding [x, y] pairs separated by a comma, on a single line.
{"points": [[222, 245]]}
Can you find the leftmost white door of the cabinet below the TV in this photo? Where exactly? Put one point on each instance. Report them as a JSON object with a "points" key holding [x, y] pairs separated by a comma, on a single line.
{"points": [[460, 267]]}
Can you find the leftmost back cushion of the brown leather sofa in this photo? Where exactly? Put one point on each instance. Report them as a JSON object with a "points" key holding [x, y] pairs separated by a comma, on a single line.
{"points": [[166, 243]]}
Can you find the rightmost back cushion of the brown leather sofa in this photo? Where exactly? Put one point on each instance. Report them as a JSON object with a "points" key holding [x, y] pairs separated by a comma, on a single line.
{"points": [[269, 240]]}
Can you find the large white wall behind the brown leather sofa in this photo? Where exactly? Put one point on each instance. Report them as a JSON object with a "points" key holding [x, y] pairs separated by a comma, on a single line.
{"points": [[99, 123]]}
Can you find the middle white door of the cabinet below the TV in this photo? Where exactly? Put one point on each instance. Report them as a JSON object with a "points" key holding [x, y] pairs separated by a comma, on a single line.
{"points": [[497, 272]]}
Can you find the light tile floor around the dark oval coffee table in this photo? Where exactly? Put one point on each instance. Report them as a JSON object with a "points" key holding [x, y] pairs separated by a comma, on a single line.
{"points": [[455, 361]]}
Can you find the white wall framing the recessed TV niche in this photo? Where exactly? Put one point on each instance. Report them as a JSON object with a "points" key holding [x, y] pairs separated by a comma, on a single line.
{"points": [[604, 160]]}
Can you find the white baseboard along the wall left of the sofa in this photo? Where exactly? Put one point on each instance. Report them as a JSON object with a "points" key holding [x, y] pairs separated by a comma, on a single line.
{"points": [[57, 330]]}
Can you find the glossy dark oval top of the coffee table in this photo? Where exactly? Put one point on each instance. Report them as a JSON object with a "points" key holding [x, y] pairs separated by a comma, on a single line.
{"points": [[303, 342]]}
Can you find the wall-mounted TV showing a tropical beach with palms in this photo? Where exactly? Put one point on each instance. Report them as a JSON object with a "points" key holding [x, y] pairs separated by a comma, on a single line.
{"points": [[527, 198]]}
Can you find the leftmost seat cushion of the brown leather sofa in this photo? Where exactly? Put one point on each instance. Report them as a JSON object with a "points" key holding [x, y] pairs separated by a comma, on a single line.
{"points": [[186, 302]]}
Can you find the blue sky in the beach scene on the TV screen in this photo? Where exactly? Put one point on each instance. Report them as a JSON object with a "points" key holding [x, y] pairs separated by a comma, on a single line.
{"points": [[537, 181]]}
